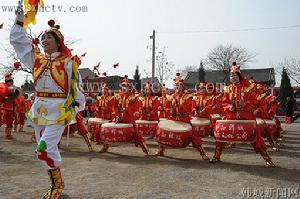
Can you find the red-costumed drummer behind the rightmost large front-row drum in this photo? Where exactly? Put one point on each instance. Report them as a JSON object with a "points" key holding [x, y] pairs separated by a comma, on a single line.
{"points": [[238, 103]]}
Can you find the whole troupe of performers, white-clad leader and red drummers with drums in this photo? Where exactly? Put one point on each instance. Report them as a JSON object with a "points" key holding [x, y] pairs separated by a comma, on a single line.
{"points": [[241, 112]]}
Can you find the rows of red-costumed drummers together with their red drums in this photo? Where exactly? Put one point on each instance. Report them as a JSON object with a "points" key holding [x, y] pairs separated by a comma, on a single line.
{"points": [[244, 112]]}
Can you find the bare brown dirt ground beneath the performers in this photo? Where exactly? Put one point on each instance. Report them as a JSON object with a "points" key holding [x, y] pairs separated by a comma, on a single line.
{"points": [[125, 172]]}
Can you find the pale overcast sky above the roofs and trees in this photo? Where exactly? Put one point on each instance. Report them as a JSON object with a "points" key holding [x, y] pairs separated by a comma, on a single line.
{"points": [[114, 31]]}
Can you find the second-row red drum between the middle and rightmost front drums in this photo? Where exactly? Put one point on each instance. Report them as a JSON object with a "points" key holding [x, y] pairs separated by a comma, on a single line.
{"points": [[201, 126]]}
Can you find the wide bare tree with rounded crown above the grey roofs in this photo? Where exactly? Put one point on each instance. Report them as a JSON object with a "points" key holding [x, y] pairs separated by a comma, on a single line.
{"points": [[221, 57]]}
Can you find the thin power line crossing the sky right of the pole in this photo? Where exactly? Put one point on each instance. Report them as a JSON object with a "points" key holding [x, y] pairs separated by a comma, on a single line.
{"points": [[234, 30]]}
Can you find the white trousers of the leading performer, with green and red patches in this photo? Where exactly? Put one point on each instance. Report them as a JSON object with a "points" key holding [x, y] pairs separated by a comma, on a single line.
{"points": [[48, 137]]}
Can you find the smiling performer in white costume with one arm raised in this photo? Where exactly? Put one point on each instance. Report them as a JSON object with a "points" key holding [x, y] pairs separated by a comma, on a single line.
{"points": [[58, 98]]}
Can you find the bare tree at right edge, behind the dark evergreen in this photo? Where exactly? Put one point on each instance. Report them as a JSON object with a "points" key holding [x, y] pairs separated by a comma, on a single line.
{"points": [[291, 66]]}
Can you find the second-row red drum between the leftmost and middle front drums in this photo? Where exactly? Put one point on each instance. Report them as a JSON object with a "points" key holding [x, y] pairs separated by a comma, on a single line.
{"points": [[146, 127]]}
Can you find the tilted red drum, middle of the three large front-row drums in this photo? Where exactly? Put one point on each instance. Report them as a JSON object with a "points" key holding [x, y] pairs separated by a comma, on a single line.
{"points": [[174, 133]]}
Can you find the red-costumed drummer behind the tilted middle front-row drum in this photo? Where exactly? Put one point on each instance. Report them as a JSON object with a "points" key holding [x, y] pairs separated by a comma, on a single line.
{"points": [[181, 110]]}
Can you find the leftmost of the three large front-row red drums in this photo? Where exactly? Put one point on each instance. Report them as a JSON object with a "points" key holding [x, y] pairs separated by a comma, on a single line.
{"points": [[117, 132]]}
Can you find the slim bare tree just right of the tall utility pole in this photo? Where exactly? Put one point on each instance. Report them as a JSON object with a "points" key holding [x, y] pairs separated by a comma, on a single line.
{"points": [[164, 68]]}
